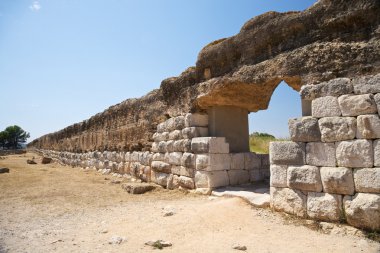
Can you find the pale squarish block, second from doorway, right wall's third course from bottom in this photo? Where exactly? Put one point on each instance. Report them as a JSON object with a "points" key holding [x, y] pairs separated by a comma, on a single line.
{"points": [[320, 154]]}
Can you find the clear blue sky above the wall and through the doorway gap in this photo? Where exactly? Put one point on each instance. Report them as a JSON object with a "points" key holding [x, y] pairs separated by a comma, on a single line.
{"points": [[62, 61]]}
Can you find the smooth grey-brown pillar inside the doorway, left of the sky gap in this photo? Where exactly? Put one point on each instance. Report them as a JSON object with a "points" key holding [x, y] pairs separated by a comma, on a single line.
{"points": [[232, 123]]}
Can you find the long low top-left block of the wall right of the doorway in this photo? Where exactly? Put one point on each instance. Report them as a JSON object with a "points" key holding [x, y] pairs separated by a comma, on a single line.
{"points": [[334, 87]]}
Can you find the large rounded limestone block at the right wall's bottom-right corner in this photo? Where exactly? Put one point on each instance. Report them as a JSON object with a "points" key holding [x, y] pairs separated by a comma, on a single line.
{"points": [[363, 210]]}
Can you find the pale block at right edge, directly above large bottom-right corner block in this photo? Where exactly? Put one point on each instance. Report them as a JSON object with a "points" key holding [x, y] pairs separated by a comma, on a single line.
{"points": [[367, 180]]}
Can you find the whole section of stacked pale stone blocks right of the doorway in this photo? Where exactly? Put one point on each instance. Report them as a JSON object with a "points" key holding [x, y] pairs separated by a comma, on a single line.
{"points": [[331, 169]]}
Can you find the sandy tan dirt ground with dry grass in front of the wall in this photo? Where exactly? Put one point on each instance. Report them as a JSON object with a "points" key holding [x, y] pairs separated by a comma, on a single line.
{"points": [[54, 208]]}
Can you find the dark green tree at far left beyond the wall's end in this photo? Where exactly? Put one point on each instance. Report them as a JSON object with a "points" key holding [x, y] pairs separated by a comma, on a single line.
{"points": [[13, 137]]}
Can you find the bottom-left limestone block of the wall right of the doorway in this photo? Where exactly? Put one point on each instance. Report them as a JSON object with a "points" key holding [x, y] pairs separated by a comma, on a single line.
{"points": [[288, 201]]}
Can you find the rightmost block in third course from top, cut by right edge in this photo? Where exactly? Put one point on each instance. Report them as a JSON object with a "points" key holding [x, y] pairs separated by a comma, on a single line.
{"points": [[368, 127]]}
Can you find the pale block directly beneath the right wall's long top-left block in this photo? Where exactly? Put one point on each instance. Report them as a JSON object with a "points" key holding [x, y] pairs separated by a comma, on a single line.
{"points": [[325, 107]]}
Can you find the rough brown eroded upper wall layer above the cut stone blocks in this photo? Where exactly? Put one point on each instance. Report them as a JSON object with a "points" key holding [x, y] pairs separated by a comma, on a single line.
{"points": [[331, 39]]}
